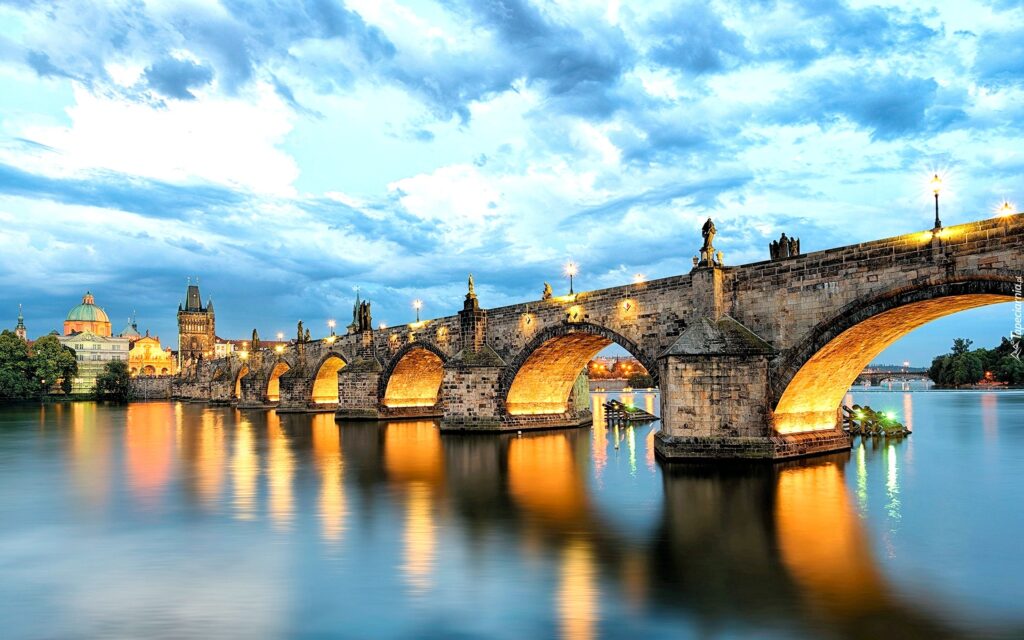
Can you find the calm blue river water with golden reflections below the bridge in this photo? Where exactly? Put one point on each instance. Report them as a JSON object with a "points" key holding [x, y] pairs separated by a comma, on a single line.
{"points": [[169, 521]]}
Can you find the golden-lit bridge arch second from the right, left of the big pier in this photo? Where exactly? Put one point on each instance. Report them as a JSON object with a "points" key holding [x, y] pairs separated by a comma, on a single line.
{"points": [[541, 377]]}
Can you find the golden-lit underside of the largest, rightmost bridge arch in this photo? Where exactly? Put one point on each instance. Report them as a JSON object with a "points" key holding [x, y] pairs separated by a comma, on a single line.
{"points": [[809, 382]]}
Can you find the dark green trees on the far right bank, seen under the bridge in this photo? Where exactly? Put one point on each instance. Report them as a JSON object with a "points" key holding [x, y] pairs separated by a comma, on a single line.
{"points": [[964, 366]]}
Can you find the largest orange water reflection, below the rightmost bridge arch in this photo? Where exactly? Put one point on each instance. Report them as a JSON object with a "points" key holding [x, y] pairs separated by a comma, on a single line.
{"points": [[822, 541]]}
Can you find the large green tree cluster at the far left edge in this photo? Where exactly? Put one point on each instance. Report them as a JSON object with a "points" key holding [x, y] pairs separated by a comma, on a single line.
{"points": [[31, 373]]}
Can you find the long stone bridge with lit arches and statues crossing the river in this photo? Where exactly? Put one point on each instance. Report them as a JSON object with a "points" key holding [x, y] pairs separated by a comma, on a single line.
{"points": [[753, 361]]}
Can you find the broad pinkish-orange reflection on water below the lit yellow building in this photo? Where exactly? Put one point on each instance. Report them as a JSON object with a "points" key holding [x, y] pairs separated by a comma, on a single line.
{"points": [[150, 445]]}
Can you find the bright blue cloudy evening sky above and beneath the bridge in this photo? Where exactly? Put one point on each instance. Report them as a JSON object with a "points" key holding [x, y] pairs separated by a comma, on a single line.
{"points": [[289, 153]]}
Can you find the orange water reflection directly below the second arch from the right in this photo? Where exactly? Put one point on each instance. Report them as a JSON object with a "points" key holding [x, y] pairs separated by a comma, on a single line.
{"points": [[544, 479]]}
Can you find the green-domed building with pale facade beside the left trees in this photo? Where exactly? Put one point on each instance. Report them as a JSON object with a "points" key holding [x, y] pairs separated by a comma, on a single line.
{"points": [[88, 331]]}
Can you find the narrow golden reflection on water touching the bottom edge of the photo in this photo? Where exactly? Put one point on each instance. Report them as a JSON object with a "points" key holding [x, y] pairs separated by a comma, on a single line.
{"points": [[579, 591]]}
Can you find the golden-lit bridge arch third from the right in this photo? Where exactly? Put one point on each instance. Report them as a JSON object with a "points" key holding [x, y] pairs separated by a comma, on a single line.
{"points": [[413, 376]]}
